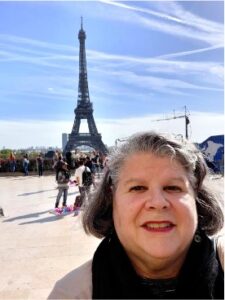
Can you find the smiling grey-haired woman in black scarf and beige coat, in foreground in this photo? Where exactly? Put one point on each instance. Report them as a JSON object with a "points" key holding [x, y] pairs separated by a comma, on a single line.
{"points": [[156, 212]]}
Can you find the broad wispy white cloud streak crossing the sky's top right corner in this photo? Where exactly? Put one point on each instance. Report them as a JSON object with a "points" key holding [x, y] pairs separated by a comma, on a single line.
{"points": [[173, 20]]}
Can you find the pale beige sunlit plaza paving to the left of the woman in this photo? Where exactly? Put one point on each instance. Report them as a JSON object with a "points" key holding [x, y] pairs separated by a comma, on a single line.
{"points": [[36, 247]]}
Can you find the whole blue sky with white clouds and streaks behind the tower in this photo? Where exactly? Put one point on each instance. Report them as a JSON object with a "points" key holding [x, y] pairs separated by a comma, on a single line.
{"points": [[146, 60]]}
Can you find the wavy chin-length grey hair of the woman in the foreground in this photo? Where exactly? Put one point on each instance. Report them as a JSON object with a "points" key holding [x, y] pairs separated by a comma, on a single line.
{"points": [[97, 218]]}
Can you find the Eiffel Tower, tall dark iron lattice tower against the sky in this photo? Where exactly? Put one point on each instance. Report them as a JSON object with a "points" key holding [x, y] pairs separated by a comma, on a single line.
{"points": [[84, 109]]}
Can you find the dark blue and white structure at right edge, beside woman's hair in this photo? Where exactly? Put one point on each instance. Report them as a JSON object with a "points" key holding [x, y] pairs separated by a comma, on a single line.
{"points": [[213, 149]]}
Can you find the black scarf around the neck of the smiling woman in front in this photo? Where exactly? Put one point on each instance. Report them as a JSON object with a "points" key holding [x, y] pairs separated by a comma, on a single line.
{"points": [[113, 276]]}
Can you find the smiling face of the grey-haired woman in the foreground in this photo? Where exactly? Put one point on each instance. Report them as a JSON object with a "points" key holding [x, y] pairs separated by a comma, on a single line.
{"points": [[154, 213]]}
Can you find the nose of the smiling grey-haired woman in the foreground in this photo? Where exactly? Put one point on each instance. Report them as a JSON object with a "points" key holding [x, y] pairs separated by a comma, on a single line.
{"points": [[155, 199]]}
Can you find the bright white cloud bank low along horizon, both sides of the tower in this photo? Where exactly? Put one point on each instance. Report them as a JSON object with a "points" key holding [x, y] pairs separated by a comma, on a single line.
{"points": [[22, 134]]}
